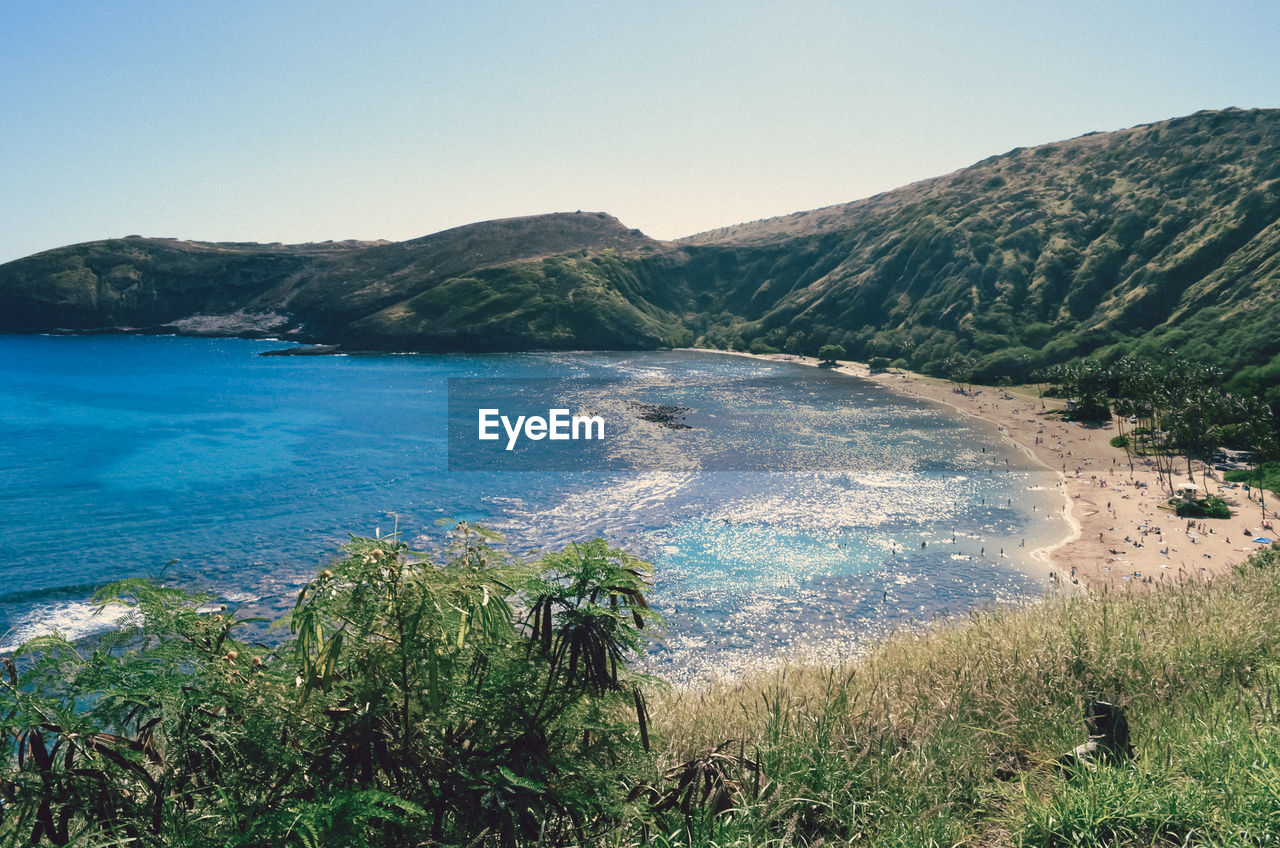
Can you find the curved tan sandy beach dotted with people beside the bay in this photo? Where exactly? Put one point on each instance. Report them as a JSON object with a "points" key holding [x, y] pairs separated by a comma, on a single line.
{"points": [[1121, 535]]}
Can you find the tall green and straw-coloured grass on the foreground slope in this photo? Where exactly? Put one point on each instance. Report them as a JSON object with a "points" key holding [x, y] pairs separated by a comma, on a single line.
{"points": [[953, 736]]}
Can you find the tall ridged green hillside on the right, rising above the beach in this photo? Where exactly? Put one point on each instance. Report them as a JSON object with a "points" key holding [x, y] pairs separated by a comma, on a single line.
{"points": [[1135, 241]]}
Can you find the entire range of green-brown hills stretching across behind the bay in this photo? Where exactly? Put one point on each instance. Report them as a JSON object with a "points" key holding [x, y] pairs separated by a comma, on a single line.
{"points": [[1163, 236]]}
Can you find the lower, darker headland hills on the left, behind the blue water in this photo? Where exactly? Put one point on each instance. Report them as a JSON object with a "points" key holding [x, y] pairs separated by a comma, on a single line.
{"points": [[540, 282]]}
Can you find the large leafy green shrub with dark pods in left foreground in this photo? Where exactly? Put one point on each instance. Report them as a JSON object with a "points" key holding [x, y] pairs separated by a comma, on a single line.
{"points": [[417, 703]]}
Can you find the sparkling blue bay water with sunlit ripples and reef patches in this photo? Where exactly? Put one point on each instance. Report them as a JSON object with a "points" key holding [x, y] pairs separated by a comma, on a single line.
{"points": [[241, 475]]}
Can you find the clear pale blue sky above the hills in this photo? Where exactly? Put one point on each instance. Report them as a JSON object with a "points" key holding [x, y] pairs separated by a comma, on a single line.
{"points": [[289, 121]]}
